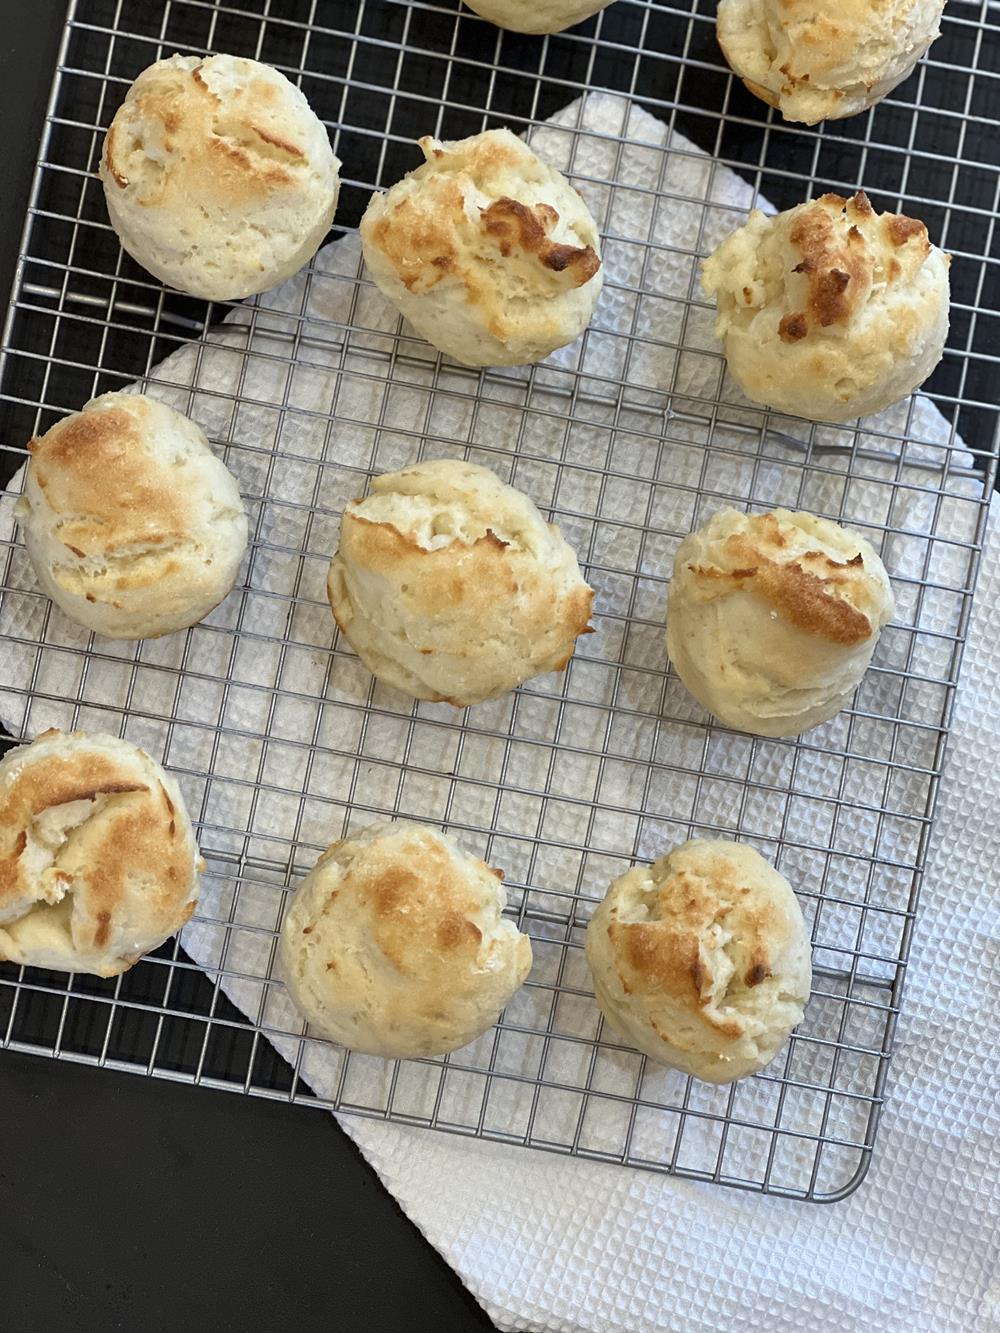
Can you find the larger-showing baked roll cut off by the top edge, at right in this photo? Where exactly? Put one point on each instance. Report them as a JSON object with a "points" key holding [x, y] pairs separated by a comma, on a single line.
{"points": [[825, 62]]}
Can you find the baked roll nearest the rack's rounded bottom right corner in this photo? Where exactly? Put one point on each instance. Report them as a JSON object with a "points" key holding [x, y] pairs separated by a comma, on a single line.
{"points": [[702, 960]]}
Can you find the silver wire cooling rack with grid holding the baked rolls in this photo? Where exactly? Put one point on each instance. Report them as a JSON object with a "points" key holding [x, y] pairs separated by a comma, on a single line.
{"points": [[277, 734]]}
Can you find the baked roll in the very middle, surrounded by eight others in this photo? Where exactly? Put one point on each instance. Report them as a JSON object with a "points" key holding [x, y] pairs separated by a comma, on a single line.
{"points": [[450, 586]]}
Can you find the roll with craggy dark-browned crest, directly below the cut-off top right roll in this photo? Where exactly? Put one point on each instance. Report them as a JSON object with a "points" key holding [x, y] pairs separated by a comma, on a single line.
{"points": [[830, 311]]}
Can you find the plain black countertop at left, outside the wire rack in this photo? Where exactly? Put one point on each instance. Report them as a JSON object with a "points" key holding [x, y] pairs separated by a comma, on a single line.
{"points": [[133, 1203]]}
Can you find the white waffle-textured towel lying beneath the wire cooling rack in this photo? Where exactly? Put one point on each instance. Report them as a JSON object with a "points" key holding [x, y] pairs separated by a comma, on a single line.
{"points": [[551, 1244]]}
